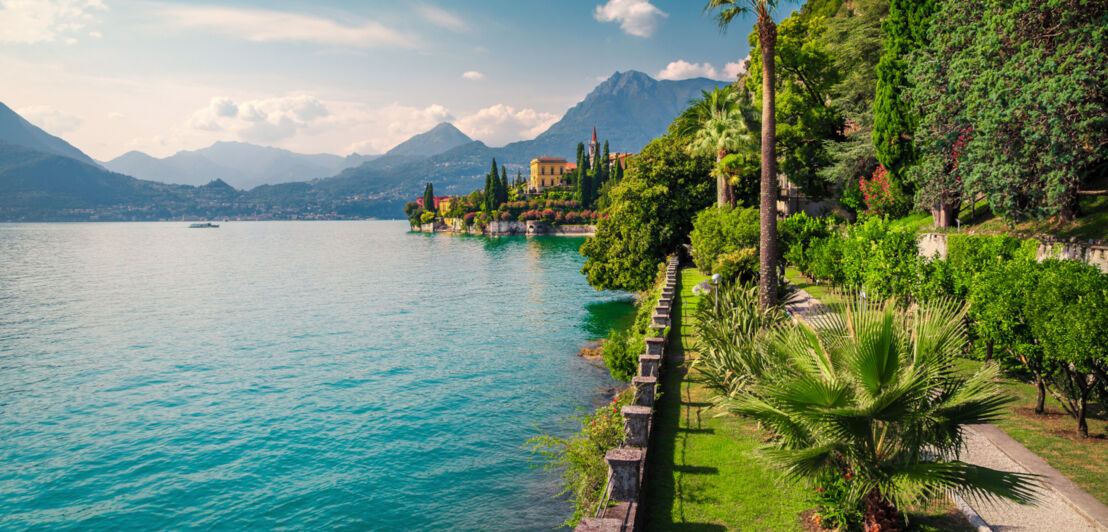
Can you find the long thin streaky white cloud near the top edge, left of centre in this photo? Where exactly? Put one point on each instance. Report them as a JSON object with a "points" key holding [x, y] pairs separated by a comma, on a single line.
{"points": [[265, 26]]}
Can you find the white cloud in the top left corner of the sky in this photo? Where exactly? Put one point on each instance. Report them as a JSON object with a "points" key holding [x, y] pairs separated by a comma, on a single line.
{"points": [[33, 22]]}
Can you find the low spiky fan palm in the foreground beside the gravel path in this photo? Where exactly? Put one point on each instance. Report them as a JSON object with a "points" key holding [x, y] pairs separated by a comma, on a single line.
{"points": [[873, 396]]}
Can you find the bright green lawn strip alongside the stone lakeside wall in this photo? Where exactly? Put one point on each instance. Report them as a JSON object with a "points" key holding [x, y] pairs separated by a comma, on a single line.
{"points": [[704, 470]]}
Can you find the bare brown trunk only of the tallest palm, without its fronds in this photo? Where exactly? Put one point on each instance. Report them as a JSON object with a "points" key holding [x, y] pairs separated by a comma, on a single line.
{"points": [[767, 36]]}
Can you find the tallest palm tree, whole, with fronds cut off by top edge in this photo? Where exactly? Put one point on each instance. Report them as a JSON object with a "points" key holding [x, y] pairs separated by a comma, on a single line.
{"points": [[729, 11]]}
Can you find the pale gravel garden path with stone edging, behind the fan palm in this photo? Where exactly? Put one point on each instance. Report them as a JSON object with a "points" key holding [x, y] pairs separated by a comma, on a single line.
{"points": [[1063, 506]]}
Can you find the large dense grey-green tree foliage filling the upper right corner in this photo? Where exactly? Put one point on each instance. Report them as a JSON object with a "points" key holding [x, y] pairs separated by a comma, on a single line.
{"points": [[1013, 103]]}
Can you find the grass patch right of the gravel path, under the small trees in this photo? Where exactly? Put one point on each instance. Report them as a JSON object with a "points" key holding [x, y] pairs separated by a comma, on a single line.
{"points": [[1053, 436]]}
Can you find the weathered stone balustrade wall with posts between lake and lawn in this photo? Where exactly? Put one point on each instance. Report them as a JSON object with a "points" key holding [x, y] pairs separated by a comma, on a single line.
{"points": [[628, 463]]}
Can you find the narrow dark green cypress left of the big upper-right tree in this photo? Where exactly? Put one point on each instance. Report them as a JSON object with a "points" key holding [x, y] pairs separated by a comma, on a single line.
{"points": [[894, 121]]}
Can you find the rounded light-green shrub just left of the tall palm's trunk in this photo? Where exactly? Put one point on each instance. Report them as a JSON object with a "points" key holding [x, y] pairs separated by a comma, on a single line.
{"points": [[719, 231]]}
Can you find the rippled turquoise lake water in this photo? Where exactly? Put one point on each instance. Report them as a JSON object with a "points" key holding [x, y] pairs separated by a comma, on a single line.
{"points": [[299, 375]]}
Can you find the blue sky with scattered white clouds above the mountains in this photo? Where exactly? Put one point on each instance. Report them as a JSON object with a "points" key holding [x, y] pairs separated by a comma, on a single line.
{"points": [[334, 77]]}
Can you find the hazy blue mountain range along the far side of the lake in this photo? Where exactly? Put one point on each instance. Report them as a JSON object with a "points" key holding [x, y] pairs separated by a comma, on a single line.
{"points": [[45, 178]]}
